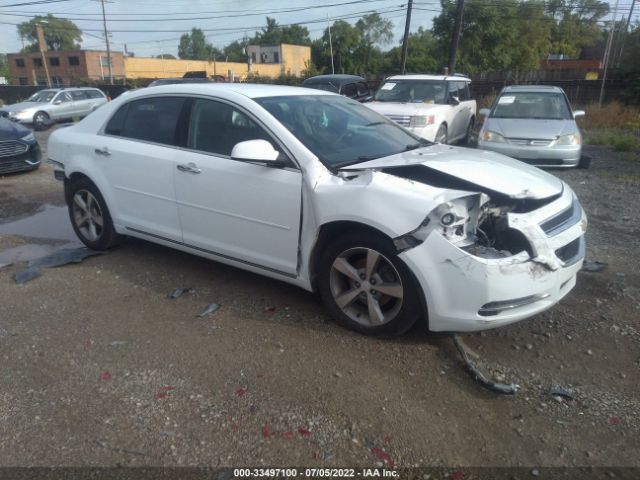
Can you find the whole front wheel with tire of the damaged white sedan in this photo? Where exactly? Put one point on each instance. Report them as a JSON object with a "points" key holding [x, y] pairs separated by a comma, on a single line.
{"points": [[366, 287]]}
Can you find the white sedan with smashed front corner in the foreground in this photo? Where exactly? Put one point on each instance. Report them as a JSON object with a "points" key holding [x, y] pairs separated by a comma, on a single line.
{"points": [[316, 190]]}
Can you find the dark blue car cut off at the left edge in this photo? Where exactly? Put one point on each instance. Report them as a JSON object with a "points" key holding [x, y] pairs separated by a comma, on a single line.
{"points": [[19, 150]]}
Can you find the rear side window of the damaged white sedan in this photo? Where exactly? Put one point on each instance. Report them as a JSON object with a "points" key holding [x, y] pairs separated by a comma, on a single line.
{"points": [[150, 119]]}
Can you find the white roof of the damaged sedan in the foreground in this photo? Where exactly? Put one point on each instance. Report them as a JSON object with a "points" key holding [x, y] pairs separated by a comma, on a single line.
{"points": [[250, 90]]}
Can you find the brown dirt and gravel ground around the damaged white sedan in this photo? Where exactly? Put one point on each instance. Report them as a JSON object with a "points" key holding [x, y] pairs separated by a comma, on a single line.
{"points": [[99, 367]]}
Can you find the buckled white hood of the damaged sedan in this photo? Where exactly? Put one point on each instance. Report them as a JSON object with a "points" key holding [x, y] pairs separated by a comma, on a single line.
{"points": [[475, 169]]}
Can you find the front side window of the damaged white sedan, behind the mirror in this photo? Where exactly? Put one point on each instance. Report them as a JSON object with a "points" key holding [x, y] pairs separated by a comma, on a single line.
{"points": [[216, 127]]}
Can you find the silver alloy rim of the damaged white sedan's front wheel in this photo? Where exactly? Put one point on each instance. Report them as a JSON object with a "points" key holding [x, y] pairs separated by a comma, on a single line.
{"points": [[366, 286]]}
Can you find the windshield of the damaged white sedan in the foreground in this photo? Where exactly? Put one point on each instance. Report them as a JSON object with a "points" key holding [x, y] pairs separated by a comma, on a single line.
{"points": [[340, 131]]}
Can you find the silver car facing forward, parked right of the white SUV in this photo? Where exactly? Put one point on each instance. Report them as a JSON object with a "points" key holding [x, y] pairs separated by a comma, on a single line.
{"points": [[535, 124]]}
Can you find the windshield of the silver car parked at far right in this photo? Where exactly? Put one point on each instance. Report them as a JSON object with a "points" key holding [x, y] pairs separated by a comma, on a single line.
{"points": [[534, 105]]}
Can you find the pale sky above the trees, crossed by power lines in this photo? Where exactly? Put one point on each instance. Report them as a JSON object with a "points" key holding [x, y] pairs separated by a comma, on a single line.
{"points": [[158, 24]]}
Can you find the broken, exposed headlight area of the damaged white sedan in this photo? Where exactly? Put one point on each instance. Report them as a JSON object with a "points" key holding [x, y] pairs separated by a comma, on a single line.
{"points": [[455, 219]]}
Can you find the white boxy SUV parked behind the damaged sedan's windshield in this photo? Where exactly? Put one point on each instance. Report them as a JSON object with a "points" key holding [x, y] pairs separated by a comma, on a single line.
{"points": [[437, 108]]}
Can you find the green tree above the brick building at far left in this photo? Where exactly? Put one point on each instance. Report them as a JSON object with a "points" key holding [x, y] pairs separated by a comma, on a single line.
{"points": [[59, 33]]}
